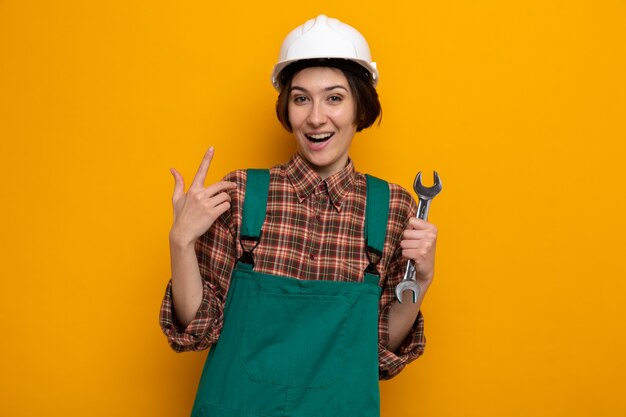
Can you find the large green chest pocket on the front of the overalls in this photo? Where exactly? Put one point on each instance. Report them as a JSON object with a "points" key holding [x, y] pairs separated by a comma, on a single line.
{"points": [[296, 339]]}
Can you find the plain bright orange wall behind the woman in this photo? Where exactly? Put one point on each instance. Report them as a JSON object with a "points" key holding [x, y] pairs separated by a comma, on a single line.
{"points": [[519, 105]]}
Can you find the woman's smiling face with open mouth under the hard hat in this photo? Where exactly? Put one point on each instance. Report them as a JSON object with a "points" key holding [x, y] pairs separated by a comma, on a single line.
{"points": [[322, 114]]}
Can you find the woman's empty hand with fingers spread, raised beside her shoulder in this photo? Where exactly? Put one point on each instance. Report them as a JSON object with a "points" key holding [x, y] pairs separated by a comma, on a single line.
{"points": [[196, 210]]}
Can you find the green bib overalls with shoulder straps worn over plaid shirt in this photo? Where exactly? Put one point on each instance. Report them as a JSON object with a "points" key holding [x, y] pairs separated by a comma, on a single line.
{"points": [[296, 348]]}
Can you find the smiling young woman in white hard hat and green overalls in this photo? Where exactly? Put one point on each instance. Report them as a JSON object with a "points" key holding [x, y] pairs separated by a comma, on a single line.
{"points": [[288, 275]]}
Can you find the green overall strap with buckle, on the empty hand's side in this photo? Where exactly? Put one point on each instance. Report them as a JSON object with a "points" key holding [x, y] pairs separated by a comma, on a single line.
{"points": [[254, 208]]}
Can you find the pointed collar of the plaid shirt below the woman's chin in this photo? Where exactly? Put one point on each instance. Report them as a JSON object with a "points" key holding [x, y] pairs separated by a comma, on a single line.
{"points": [[305, 180]]}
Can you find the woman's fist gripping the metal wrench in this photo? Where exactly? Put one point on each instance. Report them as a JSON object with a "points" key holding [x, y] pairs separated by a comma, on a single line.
{"points": [[418, 244]]}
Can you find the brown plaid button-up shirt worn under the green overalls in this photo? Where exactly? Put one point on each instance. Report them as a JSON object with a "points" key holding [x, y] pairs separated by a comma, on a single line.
{"points": [[313, 230]]}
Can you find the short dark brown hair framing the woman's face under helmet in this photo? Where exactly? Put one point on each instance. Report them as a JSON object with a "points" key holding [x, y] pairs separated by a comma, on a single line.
{"points": [[368, 107]]}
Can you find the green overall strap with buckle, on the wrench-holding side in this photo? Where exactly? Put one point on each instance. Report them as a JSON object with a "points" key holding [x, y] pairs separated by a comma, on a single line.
{"points": [[376, 217]]}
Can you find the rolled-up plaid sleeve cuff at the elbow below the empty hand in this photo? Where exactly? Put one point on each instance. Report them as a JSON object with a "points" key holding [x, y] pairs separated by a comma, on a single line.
{"points": [[202, 331]]}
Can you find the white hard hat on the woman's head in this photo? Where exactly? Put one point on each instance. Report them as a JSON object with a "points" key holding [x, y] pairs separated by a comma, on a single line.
{"points": [[323, 38]]}
